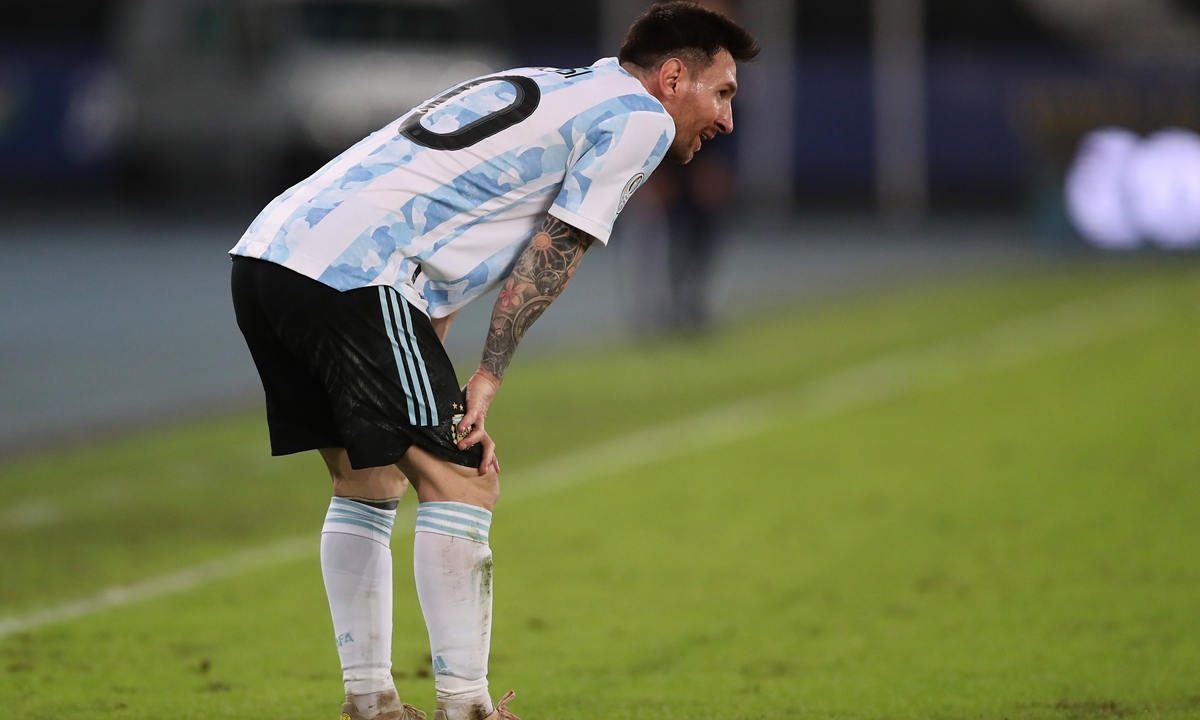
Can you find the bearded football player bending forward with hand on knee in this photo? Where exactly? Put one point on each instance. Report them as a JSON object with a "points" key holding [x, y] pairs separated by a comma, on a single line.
{"points": [[345, 287]]}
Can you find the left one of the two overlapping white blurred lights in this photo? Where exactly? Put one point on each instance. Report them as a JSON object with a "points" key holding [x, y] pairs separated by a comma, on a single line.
{"points": [[1095, 190]]}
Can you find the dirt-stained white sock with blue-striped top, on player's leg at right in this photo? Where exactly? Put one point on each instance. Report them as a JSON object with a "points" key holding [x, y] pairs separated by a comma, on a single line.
{"points": [[453, 566]]}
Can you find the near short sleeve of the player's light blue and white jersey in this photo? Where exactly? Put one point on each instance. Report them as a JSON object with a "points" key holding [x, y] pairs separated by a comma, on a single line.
{"points": [[613, 160]]}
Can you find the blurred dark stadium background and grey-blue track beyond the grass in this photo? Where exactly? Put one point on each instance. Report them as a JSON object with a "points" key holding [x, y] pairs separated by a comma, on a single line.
{"points": [[878, 141]]}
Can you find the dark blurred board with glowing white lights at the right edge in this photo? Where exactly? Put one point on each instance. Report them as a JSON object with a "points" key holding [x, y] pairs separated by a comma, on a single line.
{"points": [[1117, 158]]}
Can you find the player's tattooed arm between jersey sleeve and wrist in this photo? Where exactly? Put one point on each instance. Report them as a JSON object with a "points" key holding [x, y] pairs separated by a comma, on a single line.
{"points": [[541, 275]]}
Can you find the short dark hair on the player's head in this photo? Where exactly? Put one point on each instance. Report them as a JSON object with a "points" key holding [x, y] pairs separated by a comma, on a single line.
{"points": [[688, 32]]}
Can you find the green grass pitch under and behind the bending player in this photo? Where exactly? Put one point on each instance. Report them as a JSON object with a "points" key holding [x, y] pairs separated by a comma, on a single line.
{"points": [[1019, 542]]}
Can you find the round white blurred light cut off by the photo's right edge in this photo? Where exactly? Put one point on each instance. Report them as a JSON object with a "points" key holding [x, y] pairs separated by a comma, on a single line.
{"points": [[1163, 189]]}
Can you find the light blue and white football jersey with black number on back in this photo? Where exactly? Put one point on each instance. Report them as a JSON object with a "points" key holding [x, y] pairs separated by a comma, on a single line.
{"points": [[441, 203]]}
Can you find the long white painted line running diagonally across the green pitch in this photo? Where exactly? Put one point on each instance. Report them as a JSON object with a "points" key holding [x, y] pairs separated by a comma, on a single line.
{"points": [[993, 351]]}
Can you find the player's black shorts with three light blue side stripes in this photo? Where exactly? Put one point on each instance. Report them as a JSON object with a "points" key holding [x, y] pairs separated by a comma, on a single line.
{"points": [[361, 370]]}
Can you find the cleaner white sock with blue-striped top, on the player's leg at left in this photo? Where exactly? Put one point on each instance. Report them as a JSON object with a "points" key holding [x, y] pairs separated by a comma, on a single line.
{"points": [[356, 562]]}
